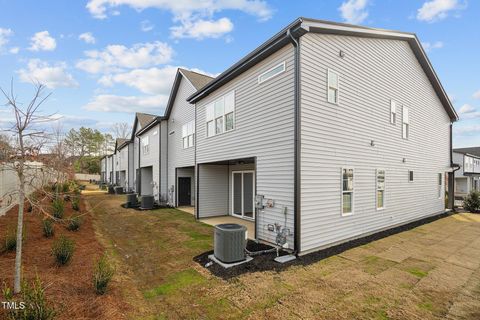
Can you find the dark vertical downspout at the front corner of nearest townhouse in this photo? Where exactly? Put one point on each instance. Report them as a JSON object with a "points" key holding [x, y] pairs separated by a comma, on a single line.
{"points": [[296, 183]]}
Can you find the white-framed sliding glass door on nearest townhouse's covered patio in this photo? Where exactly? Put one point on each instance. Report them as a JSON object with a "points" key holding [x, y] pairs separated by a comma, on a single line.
{"points": [[243, 194]]}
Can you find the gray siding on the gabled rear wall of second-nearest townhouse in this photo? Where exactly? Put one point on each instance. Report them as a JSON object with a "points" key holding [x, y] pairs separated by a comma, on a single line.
{"points": [[182, 113]]}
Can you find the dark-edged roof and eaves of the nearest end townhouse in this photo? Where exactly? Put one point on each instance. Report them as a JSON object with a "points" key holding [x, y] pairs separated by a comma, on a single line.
{"points": [[301, 26]]}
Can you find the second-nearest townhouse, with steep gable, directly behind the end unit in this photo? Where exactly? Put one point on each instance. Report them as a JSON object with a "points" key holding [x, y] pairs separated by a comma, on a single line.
{"points": [[180, 118]]}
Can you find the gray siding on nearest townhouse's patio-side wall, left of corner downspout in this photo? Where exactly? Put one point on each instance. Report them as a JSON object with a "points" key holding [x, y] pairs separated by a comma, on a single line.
{"points": [[264, 128]]}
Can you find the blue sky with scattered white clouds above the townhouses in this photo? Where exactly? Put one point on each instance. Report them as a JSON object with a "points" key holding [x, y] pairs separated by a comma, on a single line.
{"points": [[105, 59]]}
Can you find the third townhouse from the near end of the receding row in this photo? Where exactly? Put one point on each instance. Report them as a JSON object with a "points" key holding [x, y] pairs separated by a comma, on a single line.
{"points": [[141, 121]]}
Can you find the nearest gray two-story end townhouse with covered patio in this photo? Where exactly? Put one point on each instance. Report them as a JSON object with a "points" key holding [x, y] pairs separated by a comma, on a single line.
{"points": [[328, 132]]}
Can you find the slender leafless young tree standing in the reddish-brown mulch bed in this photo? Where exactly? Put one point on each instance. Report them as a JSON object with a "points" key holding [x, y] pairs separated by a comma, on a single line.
{"points": [[29, 139]]}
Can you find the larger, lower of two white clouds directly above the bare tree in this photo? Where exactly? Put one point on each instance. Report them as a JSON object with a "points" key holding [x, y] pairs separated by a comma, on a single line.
{"points": [[52, 76]]}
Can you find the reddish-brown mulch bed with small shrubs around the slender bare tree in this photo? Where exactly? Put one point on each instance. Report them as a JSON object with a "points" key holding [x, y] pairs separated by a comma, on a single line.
{"points": [[68, 288]]}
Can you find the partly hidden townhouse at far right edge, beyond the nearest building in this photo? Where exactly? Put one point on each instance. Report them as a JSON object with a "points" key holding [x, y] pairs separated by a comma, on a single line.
{"points": [[467, 177]]}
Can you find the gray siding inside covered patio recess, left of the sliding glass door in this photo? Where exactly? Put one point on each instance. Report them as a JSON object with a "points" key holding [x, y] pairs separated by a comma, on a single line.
{"points": [[214, 190]]}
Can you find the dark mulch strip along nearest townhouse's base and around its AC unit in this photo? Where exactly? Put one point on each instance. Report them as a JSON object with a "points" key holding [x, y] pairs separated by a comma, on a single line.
{"points": [[266, 263]]}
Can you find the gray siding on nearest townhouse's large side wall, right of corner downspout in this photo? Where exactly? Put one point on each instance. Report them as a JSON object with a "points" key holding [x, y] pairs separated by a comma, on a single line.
{"points": [[372, 72]]}
